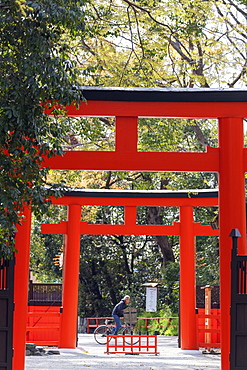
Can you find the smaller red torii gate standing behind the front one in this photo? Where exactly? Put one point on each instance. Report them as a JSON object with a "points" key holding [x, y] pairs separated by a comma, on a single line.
{"points": [[186, 228]]}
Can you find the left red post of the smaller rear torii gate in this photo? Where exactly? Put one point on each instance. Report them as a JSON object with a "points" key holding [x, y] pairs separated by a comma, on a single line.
{"points": [[68, 329]]}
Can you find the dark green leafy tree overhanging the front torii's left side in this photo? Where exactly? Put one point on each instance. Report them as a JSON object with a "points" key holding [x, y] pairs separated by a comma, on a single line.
{"points": [[36, 66]]}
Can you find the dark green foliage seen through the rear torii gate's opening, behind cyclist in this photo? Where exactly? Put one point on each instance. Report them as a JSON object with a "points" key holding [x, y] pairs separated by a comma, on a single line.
{"points": [[113, 266]]}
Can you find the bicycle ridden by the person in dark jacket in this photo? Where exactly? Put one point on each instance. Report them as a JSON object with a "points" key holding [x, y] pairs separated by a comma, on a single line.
{"points": [[101, 332]]}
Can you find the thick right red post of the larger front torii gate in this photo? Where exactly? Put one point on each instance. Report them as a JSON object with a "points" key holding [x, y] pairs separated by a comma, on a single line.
{"points": [[232, 215]]}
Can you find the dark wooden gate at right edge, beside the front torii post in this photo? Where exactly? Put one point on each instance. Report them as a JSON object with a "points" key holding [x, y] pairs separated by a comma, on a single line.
{"points": [[238, 354]]}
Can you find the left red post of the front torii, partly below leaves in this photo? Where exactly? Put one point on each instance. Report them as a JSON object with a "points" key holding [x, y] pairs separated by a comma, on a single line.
{"points": [[21, 278]]}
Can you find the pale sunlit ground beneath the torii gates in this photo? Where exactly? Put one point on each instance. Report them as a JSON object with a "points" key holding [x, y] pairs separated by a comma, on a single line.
{"points": [[91, 355]]}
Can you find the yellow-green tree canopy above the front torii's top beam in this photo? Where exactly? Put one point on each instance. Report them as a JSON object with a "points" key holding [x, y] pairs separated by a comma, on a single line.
{"points": [[184, 43]]}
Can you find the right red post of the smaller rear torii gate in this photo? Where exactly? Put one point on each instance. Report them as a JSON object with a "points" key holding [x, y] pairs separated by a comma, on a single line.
{"points": [[188, 327]]}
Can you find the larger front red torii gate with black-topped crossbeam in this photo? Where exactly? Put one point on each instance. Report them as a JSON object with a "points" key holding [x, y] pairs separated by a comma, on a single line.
{"points": [[229, 160]]}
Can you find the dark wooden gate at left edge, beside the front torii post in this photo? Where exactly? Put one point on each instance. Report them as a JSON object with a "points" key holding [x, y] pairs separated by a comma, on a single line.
{"points": [[6, 313]]}
